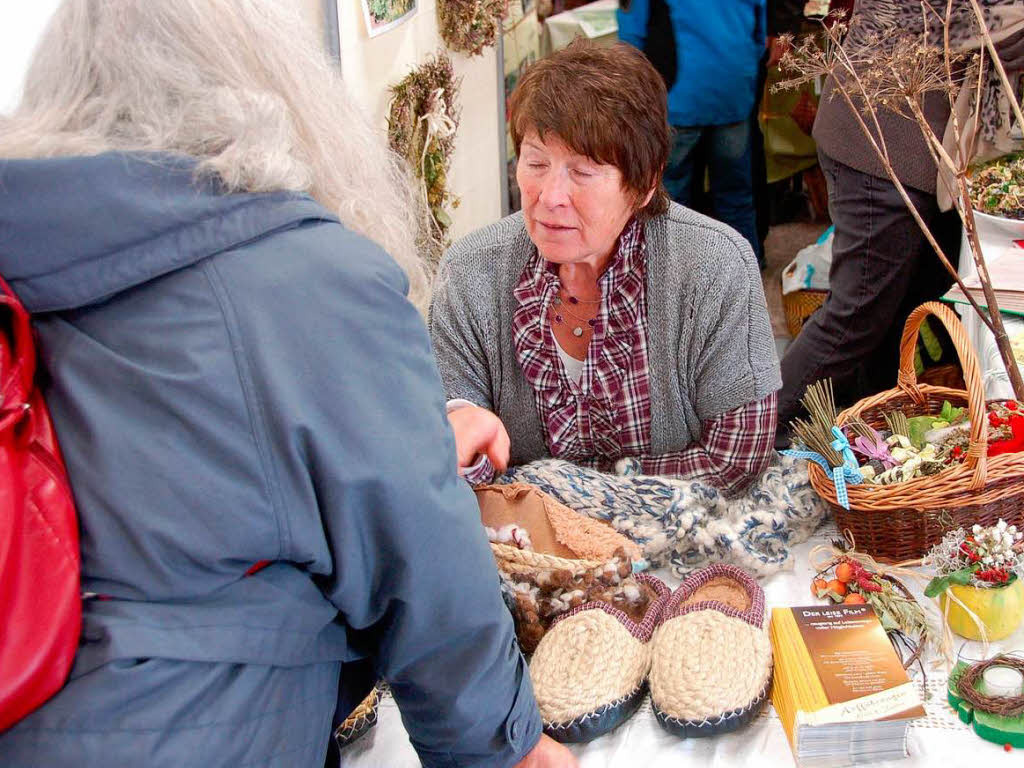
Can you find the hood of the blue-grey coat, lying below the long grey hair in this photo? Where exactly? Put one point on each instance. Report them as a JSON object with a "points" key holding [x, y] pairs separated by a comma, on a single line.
{"points": [[77, 231]]}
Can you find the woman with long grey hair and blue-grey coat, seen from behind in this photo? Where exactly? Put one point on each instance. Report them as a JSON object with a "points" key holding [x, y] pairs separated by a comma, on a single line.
{"points": [[247, 404]]}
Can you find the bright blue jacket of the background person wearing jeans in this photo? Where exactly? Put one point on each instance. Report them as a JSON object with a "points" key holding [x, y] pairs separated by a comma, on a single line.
{"points": [[718, 47]]}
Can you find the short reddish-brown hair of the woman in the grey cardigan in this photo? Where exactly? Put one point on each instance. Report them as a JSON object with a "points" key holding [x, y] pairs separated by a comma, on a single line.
{"points": [[607, 103]]}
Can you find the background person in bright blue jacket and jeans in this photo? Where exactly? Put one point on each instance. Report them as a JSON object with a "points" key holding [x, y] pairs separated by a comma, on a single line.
{"points": [[708, 52]]}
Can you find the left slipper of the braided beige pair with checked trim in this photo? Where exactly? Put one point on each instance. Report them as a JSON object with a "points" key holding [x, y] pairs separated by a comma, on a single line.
{"points": [[590, 670]]}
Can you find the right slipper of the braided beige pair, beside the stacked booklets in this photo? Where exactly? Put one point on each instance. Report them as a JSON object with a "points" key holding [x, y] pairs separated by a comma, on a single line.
{"points": [[711, 656]]}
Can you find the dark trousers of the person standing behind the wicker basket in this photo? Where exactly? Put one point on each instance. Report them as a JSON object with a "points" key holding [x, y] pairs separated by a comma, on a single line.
{"points": [[882, 269]]}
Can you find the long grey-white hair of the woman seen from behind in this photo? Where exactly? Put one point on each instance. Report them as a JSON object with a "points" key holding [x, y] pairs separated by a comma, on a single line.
{"points": [[241, 86]]}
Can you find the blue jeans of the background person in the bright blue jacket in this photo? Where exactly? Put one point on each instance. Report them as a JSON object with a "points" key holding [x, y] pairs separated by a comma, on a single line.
{"points": [[729, 153]]}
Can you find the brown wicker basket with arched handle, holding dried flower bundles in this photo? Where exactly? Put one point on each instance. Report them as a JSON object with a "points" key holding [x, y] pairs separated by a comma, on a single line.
{"points": [[904, 522]]}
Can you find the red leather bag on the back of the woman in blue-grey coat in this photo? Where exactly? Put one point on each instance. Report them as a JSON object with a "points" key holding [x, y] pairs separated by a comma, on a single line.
{"points": [[40, 600]]}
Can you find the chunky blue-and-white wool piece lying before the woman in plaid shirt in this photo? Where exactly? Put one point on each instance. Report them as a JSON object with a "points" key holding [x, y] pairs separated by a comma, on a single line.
{"points": [[688, 525]]}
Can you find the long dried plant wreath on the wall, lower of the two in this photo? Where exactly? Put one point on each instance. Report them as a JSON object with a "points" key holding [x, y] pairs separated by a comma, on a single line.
{"points": [[422, 123]]}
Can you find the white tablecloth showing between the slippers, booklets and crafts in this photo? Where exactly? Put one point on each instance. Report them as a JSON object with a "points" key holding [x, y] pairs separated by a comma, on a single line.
{"points": [[938, 740]]}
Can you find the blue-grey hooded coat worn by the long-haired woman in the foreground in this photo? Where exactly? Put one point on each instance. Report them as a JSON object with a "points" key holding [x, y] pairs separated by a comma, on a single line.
{"points": [[236, 379]]}
